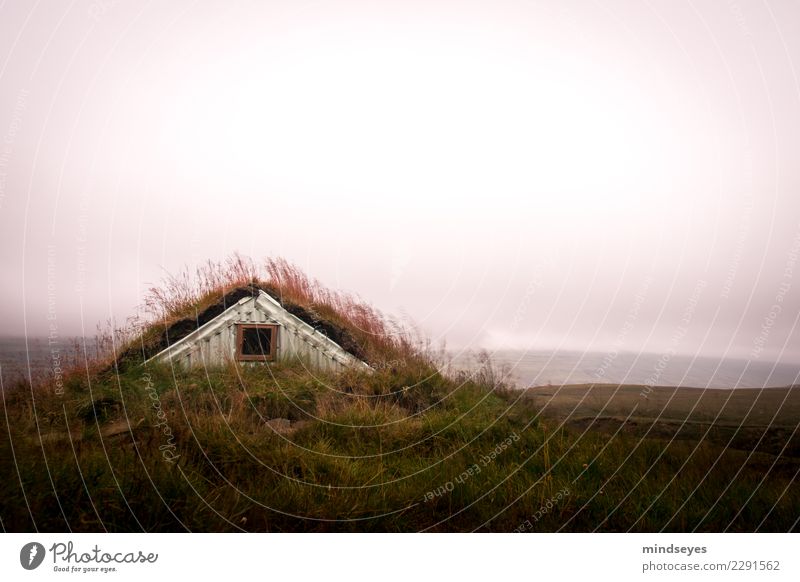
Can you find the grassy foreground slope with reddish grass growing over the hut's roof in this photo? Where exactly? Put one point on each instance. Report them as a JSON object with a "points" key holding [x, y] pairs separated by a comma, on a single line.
{"points": [[405, 448]]}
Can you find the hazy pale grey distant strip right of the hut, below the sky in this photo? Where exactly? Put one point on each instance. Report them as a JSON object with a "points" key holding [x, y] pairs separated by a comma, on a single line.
{"points": [[538, 368]]}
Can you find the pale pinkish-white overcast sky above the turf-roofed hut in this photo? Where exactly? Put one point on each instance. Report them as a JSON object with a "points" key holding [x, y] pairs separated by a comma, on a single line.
{"points": [[575, 175]]}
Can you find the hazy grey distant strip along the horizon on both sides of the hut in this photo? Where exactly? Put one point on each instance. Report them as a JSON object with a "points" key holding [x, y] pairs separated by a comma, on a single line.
{"points": [[20, 357]]}
